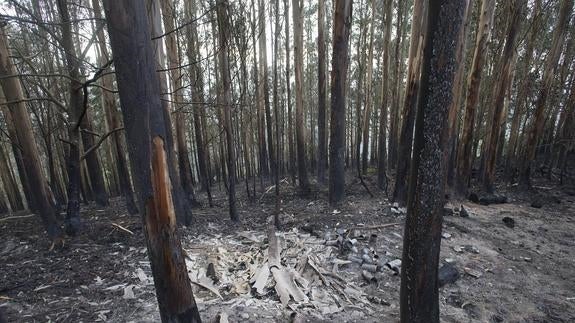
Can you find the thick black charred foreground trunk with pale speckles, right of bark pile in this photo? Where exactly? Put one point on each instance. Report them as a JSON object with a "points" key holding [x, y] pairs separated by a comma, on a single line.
{"points": [[419, 295]]}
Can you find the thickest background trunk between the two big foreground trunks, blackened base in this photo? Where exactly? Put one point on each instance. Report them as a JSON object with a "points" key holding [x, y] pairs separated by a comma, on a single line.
{"points": [[340, 61]]}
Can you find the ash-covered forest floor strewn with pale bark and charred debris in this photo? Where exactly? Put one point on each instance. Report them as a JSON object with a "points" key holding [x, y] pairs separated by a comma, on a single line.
{"points": [[519, 274]]}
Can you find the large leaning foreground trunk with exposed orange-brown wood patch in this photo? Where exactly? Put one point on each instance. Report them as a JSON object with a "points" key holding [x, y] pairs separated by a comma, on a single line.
{"points": [[139, 94]]}
